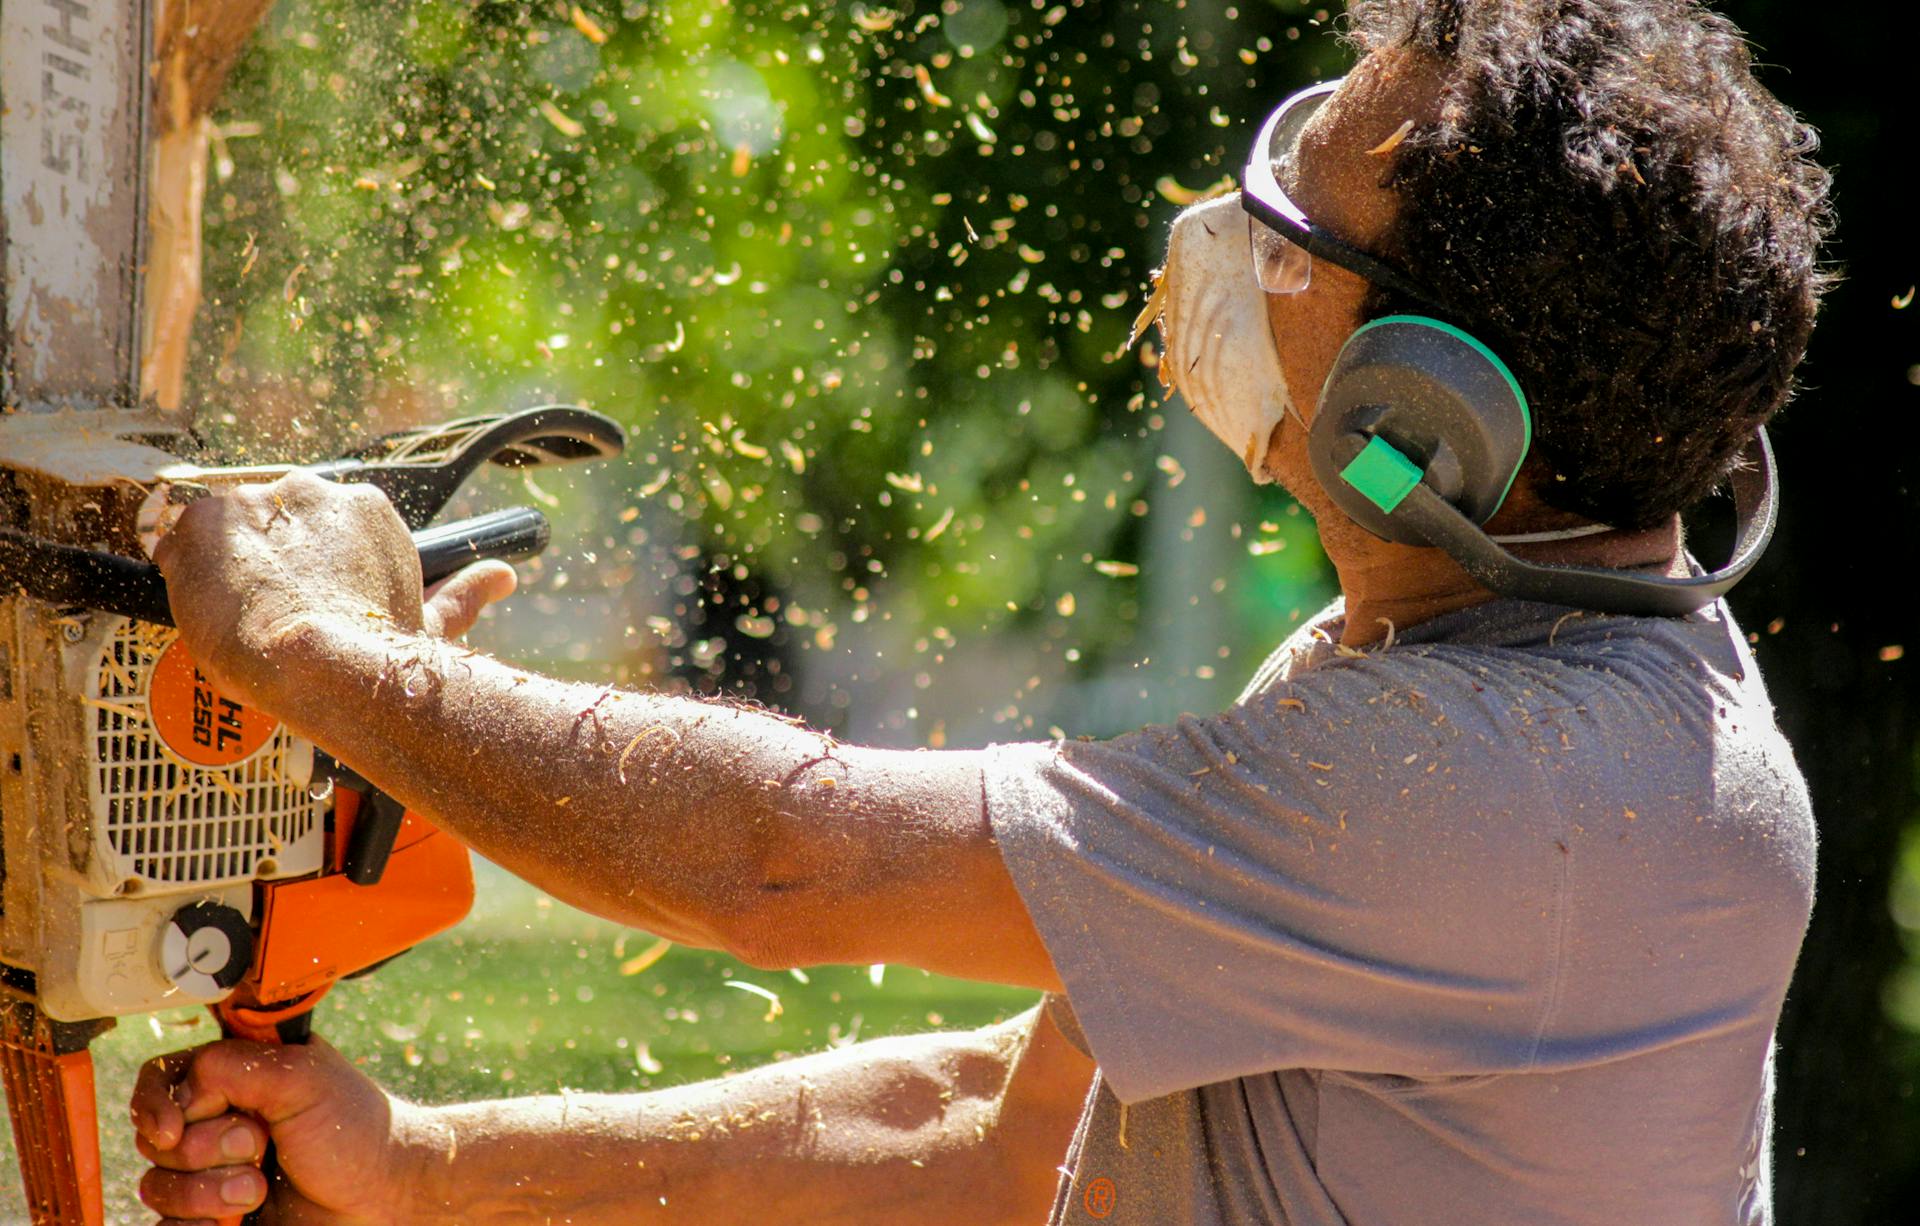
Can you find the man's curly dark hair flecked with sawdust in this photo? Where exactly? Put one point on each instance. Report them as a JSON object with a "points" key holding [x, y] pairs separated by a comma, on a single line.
{"points": [[1627, 218]]}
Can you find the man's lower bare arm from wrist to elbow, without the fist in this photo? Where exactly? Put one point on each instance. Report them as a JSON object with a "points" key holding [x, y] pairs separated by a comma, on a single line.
{"points": [[930, 1129]]}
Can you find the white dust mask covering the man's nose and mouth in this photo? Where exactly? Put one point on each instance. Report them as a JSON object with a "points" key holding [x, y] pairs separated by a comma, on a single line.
{"points": [[1214, 321]]}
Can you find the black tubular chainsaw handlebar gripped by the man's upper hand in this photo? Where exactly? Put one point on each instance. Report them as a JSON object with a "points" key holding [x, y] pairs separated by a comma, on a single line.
{"points": [[66, 575]]}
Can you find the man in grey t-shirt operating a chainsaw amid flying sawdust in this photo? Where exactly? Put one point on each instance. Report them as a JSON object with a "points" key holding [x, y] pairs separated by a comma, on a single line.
{"points": [[1470, 910]]}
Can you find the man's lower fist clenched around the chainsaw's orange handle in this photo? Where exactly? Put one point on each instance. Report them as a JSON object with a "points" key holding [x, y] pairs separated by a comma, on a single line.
{"points": [[203, 1118]]}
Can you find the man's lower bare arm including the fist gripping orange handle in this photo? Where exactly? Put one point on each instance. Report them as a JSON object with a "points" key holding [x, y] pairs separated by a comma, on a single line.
{"points": [[965, 1129]]}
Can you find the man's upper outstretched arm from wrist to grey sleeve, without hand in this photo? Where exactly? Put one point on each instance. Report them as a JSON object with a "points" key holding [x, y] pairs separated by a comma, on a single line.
{"points": [[709, 824]]}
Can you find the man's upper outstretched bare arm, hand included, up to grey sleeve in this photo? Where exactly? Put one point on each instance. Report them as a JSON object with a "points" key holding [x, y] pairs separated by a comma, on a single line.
{"points": [[713, 826]]}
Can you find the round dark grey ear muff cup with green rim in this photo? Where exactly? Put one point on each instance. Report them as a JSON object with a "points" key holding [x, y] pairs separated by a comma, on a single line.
{"points": [[1441, 400]]}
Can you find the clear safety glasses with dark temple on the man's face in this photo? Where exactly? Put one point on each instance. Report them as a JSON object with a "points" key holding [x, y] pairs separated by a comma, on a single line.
{"points": [[1285, 243]]}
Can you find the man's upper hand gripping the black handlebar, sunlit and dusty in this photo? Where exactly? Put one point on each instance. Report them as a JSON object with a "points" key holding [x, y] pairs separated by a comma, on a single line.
{"points": [[260, 563]]}
